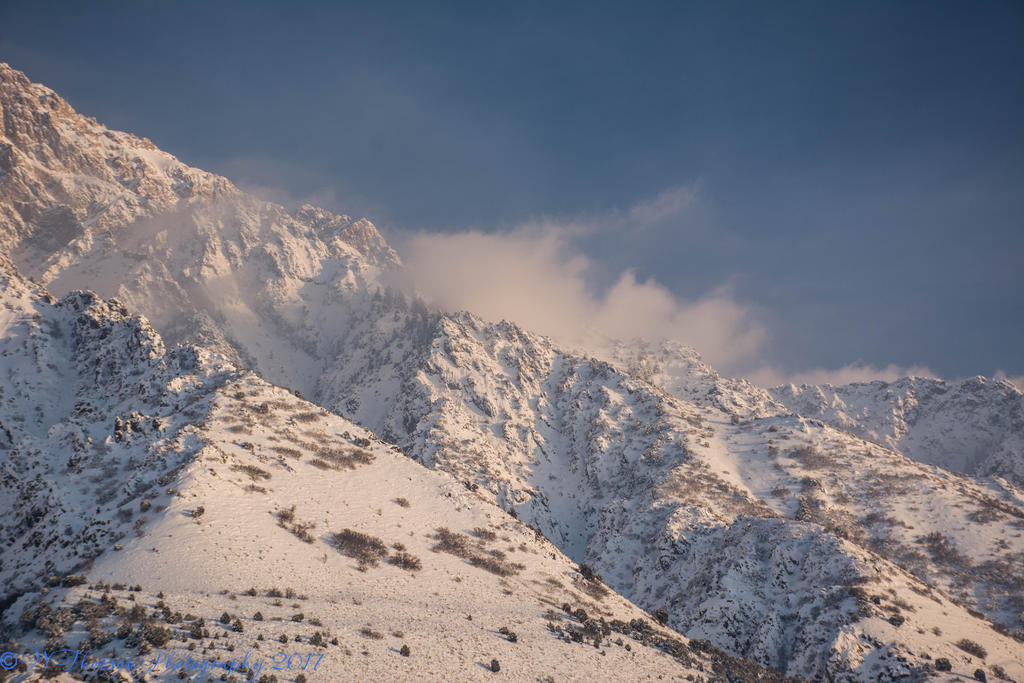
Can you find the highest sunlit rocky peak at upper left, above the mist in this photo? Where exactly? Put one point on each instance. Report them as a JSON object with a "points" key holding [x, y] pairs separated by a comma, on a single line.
{"points": [[66, 182]]}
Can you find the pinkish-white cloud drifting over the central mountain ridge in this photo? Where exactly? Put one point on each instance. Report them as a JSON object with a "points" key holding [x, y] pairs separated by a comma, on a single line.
{"points": [[537, 277]]}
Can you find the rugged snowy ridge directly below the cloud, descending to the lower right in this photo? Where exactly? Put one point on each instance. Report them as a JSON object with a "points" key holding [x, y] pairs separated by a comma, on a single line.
{"points": [[626, 477]]}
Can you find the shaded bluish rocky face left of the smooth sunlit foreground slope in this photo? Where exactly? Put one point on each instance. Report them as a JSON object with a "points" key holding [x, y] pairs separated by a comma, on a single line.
{"points": [[82, 382]]}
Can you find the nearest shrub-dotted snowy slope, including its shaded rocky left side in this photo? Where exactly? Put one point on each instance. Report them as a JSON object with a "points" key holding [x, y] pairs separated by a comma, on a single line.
{"points": [[224, 494]]}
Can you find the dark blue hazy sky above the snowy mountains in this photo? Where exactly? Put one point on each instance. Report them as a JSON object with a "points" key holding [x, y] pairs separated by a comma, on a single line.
{"points": [[849, 175]]}
